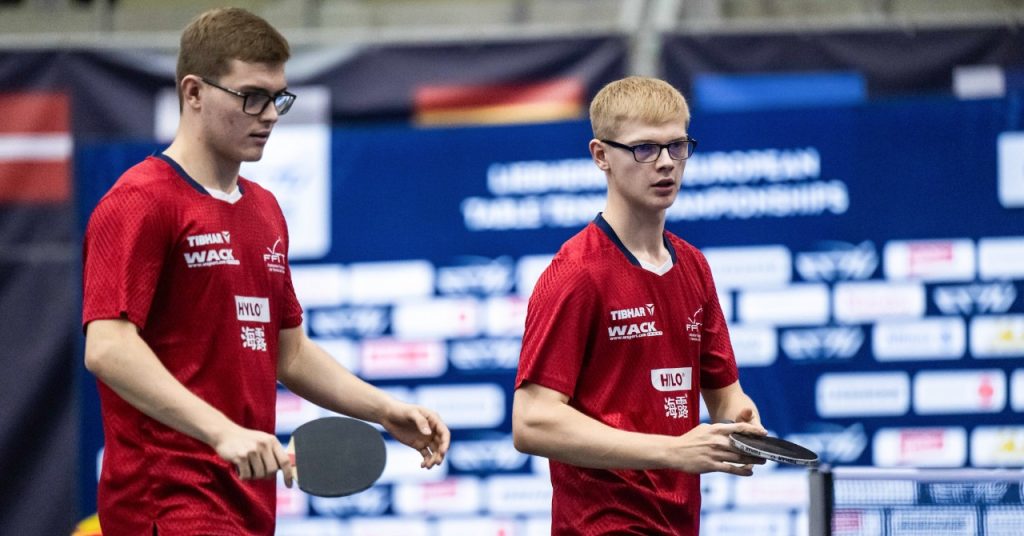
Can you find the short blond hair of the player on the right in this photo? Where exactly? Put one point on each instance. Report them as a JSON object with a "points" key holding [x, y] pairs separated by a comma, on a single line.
{"points": [[648, 100]]}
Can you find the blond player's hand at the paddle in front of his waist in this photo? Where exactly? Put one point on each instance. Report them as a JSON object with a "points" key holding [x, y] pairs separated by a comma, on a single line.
{"points": [[707, 449]]}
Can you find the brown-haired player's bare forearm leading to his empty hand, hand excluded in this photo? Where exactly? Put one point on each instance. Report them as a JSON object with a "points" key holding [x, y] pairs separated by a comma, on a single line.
{"points": [[315, 376]]}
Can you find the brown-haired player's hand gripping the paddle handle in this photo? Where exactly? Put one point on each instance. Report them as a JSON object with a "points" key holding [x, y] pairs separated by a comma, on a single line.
{"points": [[255, 455]]}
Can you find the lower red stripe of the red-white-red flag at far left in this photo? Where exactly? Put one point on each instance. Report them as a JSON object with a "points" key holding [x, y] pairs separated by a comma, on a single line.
{"points": [[35, 182]]}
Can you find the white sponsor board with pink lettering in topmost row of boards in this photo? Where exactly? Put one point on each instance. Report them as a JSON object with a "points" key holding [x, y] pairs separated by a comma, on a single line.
{"points": [[930, 260]]}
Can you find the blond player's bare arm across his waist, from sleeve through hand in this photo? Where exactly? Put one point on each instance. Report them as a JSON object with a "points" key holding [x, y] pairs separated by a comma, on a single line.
{"points": [[544, 424]]}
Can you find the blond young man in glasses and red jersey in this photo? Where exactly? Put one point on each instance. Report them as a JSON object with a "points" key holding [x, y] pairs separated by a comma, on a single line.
{"points": [[624, 334]]}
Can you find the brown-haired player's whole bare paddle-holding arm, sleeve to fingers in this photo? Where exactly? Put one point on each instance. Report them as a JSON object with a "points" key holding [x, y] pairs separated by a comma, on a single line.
{"points": [[118, 356]]}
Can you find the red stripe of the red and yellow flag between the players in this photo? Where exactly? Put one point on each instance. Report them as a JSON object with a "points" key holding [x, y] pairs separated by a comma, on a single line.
{"points": [[567, 91]]}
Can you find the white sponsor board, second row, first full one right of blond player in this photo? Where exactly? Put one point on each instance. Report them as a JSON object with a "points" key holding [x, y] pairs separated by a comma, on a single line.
{"points": [[798, 305]]}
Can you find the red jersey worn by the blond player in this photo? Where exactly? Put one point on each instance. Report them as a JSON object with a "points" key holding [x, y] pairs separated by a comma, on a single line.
{"points": [[630, 349]]}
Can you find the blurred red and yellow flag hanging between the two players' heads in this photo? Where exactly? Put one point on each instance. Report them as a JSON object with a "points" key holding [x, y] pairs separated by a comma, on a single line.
{"points": [[500, 104]]}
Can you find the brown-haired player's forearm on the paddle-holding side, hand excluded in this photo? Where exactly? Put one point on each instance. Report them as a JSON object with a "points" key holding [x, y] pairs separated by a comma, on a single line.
{"points": [[119, 358]]}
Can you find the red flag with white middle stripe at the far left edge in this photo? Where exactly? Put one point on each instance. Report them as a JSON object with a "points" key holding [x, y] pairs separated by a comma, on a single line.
{"points": [[35, 148]]}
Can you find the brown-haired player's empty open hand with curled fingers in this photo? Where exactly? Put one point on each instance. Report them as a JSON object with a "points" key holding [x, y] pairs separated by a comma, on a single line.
{"points": [[420, 429]]}
